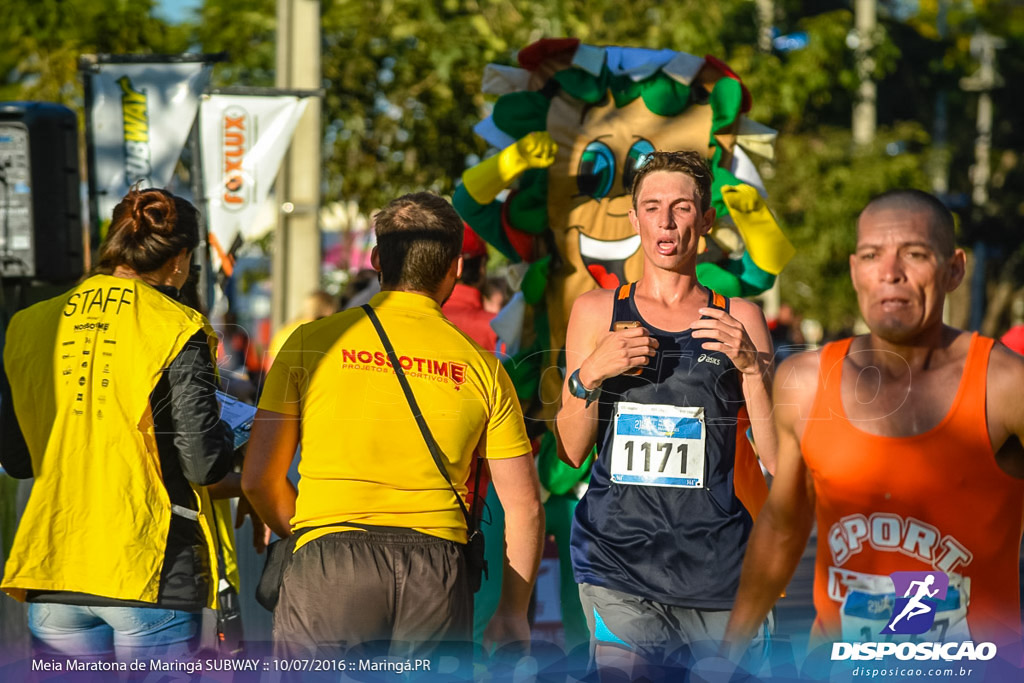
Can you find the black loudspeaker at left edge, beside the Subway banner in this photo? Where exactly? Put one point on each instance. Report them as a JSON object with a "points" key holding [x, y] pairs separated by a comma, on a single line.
{"points": [[41, 234]]}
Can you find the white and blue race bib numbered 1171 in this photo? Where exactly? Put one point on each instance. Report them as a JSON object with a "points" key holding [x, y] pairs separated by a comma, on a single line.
{"points": [[658, 446]]}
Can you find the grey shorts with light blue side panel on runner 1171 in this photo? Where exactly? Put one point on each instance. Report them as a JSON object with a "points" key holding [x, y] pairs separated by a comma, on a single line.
{"points": [[657, 632]]}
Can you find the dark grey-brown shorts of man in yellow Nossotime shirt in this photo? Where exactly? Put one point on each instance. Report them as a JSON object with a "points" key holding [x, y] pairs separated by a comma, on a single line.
{"points": [[405, 591]]}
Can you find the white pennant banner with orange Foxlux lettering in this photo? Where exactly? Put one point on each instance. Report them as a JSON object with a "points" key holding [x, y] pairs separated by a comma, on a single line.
{"points": [[244, 140]]}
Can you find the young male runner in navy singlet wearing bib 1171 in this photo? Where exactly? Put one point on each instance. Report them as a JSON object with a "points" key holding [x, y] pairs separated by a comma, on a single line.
{"points": [[659, 538]]}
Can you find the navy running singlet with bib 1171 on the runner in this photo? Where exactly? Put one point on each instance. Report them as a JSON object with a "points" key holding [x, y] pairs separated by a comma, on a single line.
{"points": [[661, 519]]}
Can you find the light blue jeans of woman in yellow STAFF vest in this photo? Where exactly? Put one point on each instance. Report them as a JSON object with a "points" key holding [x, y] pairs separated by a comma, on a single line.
{"points": [[107, 633]]}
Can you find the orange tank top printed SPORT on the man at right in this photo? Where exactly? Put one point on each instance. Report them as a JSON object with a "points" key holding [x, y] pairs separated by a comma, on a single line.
{"points": [[933, 502]]}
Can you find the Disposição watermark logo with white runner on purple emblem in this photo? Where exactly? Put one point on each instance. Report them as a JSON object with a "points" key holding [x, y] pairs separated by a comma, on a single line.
{"points": [[913, 615]]}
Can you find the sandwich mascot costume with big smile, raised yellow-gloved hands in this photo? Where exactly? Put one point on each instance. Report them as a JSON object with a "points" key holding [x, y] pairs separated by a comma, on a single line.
{"points": [[572, 125]]}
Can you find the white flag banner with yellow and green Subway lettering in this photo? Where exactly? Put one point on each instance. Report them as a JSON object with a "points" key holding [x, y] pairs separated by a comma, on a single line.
{"points": [[140, 118]]}
